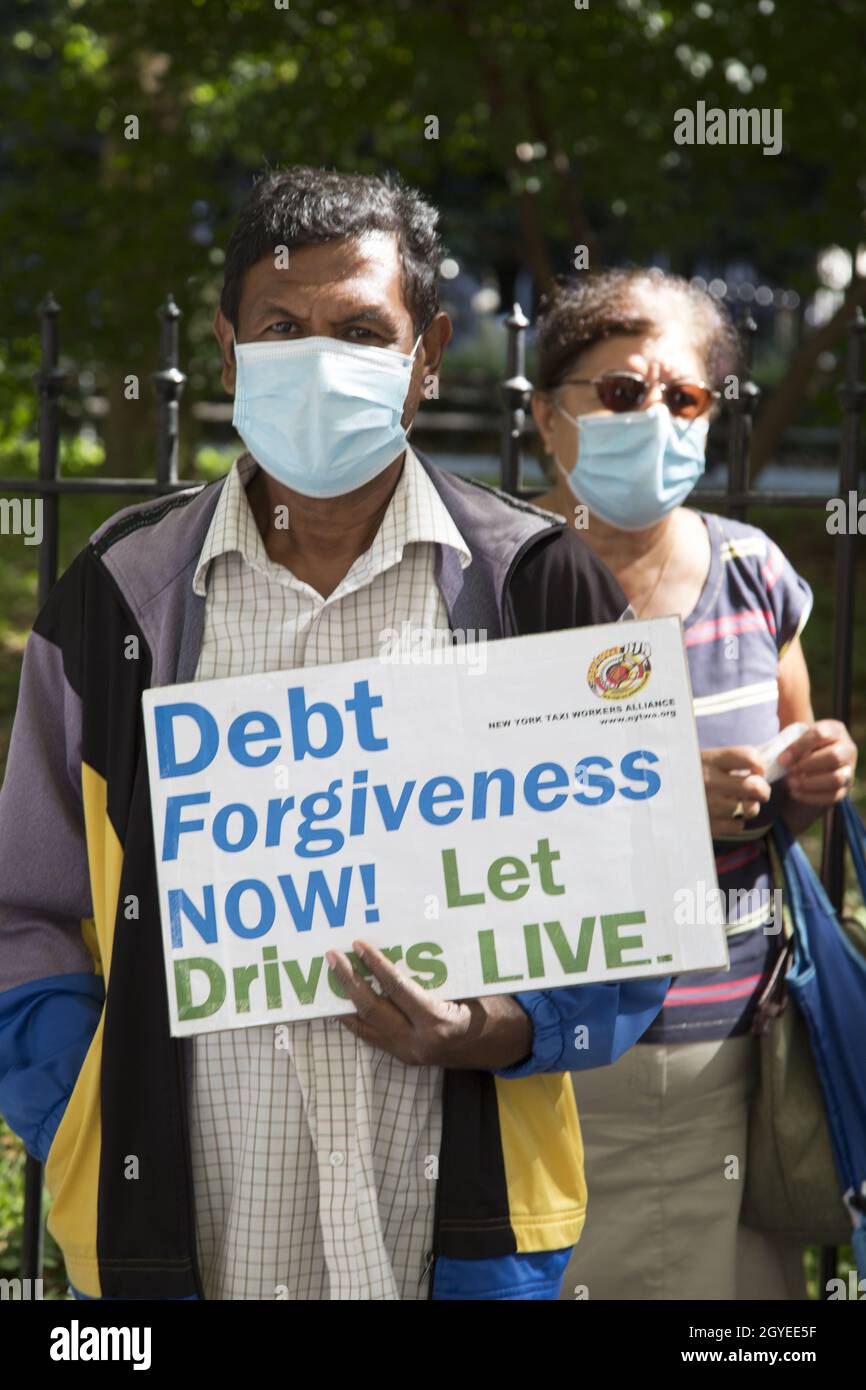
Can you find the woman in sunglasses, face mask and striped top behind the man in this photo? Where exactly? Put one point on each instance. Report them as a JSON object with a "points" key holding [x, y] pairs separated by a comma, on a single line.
{"points": [[632, 368]]}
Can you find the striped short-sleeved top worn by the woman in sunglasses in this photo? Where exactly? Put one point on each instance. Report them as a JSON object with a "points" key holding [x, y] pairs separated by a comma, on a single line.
{"points": [[751, 610]]}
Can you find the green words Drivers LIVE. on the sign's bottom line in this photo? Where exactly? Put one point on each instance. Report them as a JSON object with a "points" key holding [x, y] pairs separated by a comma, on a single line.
{"points": [[202, 985]]}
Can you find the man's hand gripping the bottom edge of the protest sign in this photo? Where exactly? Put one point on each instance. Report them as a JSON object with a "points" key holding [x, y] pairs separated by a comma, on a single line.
{"points": [[420, 1031]]}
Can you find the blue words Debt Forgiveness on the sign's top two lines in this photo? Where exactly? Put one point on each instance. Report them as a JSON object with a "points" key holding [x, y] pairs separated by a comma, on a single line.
{"points": [[322, 822]]}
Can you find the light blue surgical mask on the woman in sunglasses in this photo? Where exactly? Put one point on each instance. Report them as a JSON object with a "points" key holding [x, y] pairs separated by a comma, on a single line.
{"points": [[635, 468]]}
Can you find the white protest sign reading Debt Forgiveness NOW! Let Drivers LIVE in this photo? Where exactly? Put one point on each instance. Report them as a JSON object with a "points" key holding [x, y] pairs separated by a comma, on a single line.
{"points": [[514, 825]]}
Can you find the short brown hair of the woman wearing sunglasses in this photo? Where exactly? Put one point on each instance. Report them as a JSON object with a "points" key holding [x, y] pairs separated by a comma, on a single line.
{"points": [[622, 302]]}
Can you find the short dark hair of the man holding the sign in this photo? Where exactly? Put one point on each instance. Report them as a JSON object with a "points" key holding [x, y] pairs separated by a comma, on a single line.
{"points": [[308, 206]]}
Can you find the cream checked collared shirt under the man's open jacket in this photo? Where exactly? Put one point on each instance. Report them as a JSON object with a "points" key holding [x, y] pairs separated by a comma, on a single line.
{"points": [[315, 1166]]}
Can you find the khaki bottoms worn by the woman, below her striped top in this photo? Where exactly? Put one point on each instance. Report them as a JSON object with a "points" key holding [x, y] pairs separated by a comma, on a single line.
{"points": [[665, 1139]]}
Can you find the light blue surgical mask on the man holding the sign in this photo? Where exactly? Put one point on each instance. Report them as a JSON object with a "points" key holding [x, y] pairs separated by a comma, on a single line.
{"points": [[320, 415]]}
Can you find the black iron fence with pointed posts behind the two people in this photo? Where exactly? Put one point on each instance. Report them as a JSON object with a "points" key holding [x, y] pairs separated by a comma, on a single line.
{"points": [[737, 498]]}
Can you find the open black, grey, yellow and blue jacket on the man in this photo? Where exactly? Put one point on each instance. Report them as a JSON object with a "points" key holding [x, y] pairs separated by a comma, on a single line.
{"points": [[90, 1072]]}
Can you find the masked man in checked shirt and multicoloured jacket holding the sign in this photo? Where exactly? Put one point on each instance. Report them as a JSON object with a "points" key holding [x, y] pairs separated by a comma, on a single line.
{"points": [[420, 1149]]}
